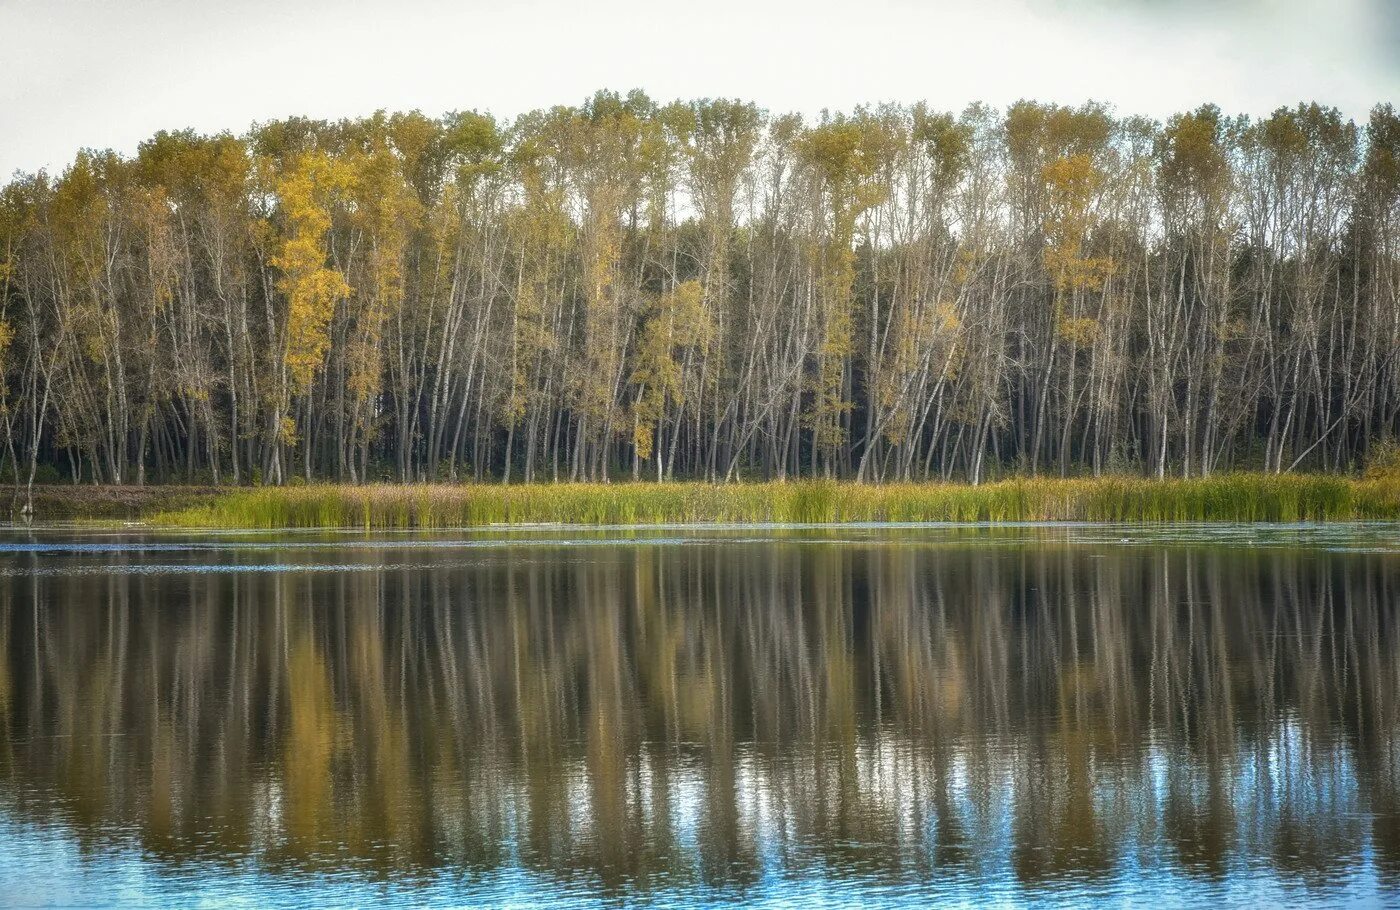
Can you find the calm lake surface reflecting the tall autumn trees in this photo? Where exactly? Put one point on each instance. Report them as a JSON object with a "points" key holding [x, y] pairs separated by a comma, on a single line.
{"points": [[874, 716]]}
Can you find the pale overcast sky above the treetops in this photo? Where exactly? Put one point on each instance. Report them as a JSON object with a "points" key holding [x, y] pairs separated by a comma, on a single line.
{"points": [[108, 73]]}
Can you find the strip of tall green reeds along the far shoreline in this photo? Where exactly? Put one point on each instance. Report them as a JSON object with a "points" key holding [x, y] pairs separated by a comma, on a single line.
{"points": [[1227, 498]]}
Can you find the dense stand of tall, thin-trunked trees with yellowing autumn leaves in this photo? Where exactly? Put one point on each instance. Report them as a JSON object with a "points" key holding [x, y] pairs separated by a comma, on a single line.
{"points": [[706, 290]]}
